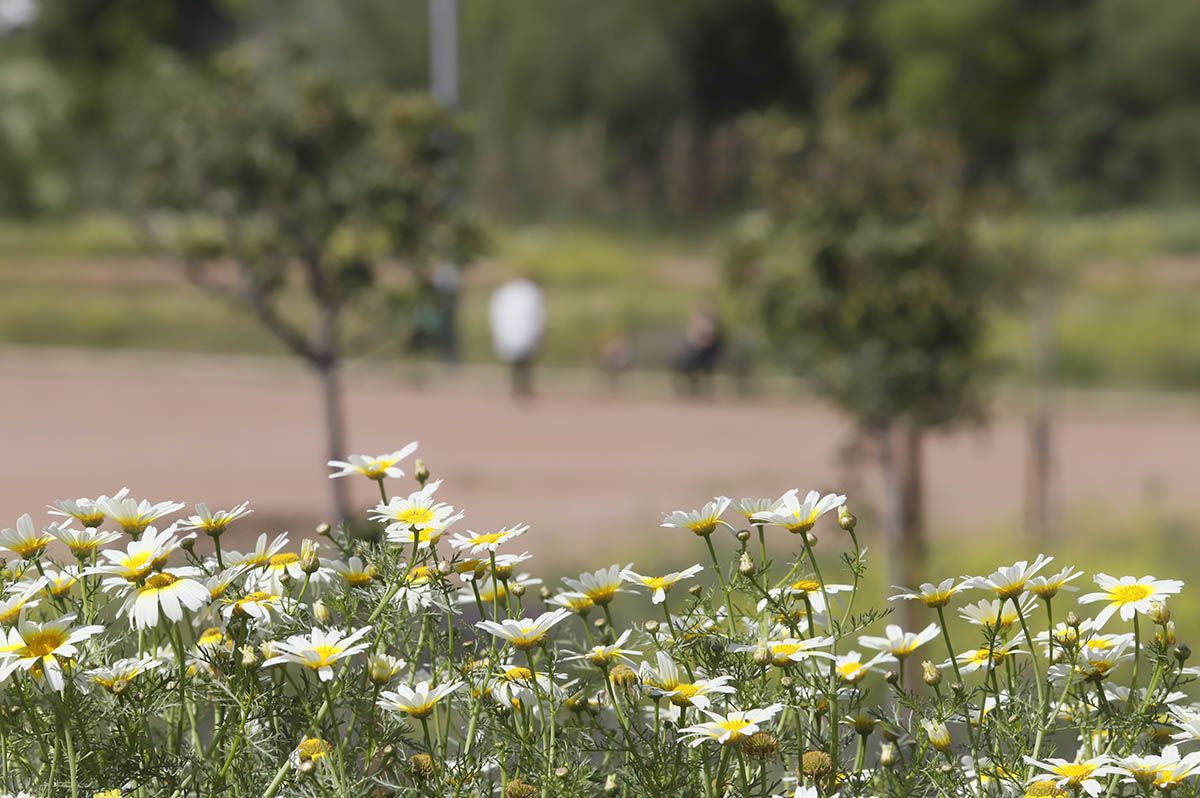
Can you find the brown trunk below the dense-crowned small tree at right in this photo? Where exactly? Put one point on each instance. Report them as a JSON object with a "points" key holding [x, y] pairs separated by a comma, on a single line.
{"points": [[901, 460]]}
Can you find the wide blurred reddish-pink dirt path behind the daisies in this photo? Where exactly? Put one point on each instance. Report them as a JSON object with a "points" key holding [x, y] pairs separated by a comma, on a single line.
{"points": [[590, 473]]}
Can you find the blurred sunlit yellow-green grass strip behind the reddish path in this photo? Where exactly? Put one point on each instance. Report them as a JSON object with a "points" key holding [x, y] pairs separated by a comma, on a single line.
{"points": [[1130, 285]]}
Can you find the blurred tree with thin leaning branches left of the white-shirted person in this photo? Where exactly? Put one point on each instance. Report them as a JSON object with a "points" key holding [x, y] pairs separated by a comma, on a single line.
{"points": [[290, 196]]}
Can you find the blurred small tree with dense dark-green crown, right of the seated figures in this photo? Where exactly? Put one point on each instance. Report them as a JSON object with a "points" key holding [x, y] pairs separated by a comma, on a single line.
{"points": [[885, 313]]}
